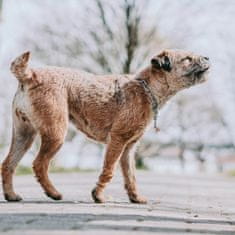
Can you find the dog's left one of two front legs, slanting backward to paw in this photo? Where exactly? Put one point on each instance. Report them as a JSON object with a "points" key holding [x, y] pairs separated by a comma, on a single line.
{"points": [[114, 151]]}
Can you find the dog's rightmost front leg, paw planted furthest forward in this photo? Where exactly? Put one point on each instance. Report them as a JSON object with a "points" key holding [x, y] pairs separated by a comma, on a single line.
{"points": [[127, 162]]}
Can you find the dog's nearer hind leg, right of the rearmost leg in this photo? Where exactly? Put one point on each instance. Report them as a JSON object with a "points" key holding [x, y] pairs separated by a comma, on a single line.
{"points": [[52, 138]]}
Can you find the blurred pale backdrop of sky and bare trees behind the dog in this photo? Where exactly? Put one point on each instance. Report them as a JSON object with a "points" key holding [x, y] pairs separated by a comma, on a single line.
{"points": [[100, 36]]}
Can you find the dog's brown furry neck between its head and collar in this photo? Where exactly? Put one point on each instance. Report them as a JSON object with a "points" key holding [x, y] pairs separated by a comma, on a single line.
{"points": [[158, 85]]}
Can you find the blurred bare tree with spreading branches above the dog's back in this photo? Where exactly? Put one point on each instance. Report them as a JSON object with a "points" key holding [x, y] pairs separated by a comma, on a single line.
{"points": [[110, 37]]}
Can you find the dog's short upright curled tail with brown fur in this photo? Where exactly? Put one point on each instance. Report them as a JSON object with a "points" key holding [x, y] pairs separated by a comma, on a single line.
{"points": [[19, 67]]}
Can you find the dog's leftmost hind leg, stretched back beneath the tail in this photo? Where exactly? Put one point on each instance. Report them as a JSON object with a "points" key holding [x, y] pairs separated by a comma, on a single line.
{"points": [[23, 135]]}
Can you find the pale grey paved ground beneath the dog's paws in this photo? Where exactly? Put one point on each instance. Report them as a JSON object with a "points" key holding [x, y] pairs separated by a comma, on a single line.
{"points": [[177, 205]]}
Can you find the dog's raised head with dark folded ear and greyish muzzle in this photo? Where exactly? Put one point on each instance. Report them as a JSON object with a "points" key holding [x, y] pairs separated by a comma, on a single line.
{"points": [[181, 69]]}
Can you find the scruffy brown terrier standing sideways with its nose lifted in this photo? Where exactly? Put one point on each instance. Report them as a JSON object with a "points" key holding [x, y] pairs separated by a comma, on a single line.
{"points": [[111, 109]]}
